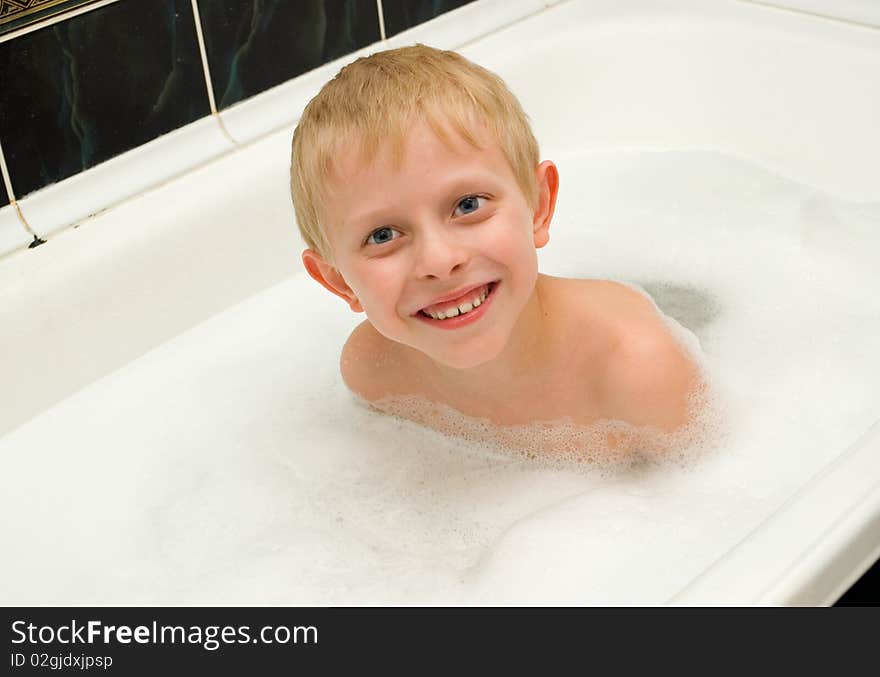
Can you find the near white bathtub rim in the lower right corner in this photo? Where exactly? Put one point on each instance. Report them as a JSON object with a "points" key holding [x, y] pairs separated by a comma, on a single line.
{"points": [[823, 539]]}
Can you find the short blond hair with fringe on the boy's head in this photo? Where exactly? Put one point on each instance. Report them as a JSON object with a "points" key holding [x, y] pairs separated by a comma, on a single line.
{"points": [[376, 98]]}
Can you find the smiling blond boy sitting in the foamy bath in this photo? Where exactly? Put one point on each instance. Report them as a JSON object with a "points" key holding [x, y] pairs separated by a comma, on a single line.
{"points": [[417, 186]]}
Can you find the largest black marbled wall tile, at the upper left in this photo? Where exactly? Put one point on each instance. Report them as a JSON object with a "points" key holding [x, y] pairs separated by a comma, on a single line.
{"points": [[81, 91]]}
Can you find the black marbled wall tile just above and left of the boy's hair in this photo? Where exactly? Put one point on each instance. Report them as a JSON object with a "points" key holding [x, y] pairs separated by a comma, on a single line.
{"points": [[253, 45]]}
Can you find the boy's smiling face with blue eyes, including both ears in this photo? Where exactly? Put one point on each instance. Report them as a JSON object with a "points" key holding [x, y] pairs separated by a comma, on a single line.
{"points": [[448, 219]]}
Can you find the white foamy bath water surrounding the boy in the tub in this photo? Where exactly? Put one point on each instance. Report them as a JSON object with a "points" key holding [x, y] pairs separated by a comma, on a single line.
{"points": [[231, 465]]}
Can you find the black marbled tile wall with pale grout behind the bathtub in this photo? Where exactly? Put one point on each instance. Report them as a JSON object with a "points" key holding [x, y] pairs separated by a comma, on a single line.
{"points": [[76, 93]]}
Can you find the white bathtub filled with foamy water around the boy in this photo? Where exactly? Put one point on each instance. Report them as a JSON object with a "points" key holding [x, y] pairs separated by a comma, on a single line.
{"points": [[174, 429]]}
